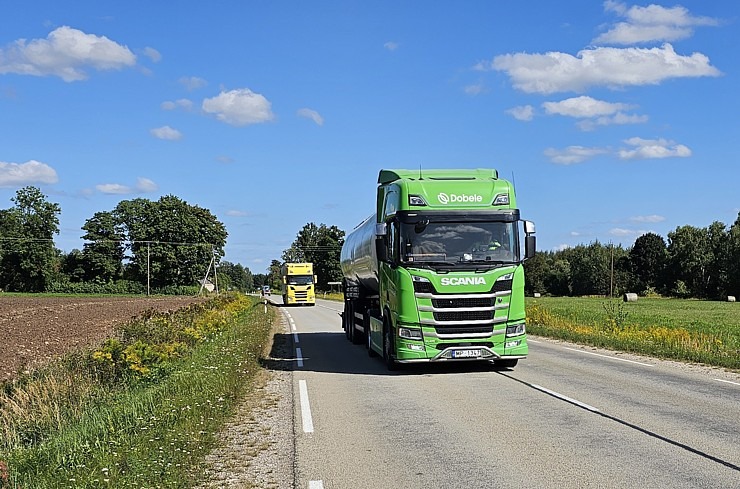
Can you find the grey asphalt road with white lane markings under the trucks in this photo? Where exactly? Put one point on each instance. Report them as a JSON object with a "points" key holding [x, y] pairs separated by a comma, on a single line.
{"points": [[567, 416]]}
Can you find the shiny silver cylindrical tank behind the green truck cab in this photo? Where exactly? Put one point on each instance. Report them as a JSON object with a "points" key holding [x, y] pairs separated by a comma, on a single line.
{"points": [[359, 259]]}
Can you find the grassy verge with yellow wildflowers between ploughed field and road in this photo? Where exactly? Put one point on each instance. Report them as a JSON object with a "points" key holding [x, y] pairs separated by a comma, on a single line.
{"points": [[142, 410]]}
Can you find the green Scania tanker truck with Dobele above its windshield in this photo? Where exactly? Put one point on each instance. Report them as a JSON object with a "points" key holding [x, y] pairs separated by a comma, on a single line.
{"points": [[436, 274]]}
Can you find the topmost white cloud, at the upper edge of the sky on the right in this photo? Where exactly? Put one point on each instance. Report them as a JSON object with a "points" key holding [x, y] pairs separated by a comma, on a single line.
{"points": [[651, 23]]}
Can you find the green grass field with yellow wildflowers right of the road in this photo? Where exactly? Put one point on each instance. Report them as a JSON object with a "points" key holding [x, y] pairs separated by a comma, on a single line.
{"points": [[687, 330]]}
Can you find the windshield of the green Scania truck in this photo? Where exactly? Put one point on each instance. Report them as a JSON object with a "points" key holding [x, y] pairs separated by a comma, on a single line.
{"points": [[459, 243]]}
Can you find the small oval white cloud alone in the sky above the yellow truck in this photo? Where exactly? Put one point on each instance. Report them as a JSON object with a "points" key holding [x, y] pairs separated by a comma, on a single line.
{"points": [[239, 107]]}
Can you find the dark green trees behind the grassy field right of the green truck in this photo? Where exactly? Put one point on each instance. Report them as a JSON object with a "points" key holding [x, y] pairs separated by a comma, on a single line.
{"points": [[694, 262]]}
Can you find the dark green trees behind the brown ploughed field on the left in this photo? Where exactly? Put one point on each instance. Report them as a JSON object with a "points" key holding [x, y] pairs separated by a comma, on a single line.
{"points": [[165, 246]]}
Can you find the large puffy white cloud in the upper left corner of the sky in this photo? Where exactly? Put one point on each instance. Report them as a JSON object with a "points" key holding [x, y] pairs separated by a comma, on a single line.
{"points": [[65, 53]]}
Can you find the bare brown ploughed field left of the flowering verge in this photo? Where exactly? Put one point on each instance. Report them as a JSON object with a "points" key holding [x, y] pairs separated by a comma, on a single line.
{"points": [[36, 330]]}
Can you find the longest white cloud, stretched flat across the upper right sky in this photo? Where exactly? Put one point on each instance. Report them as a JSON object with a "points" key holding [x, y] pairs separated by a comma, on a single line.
{"points": [[604, 66]]}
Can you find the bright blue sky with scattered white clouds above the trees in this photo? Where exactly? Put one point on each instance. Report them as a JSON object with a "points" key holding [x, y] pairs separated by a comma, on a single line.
{"points": [[612, 118]]}
